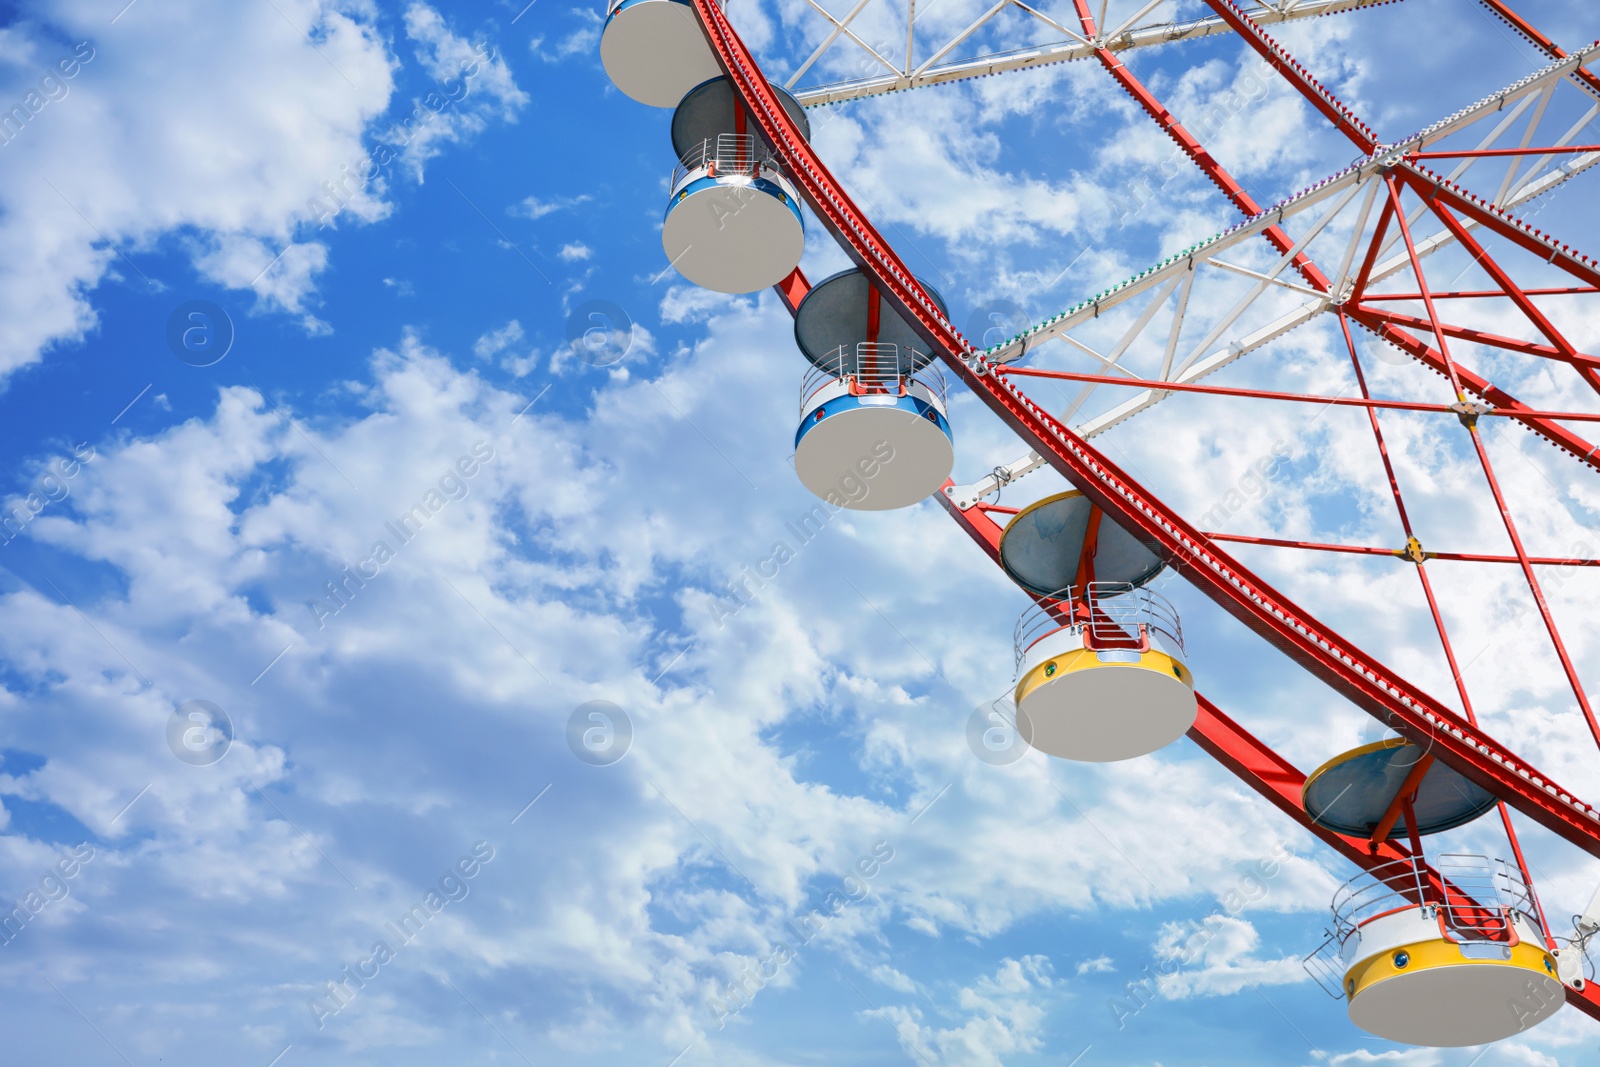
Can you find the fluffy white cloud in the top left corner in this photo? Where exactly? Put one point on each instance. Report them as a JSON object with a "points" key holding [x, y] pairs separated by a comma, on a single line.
{"points": [[143, 146]]}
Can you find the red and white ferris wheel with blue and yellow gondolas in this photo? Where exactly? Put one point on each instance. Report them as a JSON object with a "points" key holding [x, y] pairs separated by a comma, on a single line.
{"points": [[1418, 255]]}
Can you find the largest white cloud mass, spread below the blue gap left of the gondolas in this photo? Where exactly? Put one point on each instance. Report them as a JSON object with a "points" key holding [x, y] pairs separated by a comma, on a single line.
{"points": [[225, 529]]}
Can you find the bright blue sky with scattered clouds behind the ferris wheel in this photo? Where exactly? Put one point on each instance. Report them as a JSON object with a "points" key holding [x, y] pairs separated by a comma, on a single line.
{"points": [[382, 751]]}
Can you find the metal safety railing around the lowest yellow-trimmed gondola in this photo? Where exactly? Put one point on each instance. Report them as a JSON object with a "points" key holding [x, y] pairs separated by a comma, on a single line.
{"points": [[1478, 906]]}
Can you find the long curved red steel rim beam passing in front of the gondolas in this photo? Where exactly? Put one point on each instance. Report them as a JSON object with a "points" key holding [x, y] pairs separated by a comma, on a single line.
{"points": [[1364, 681]]}
